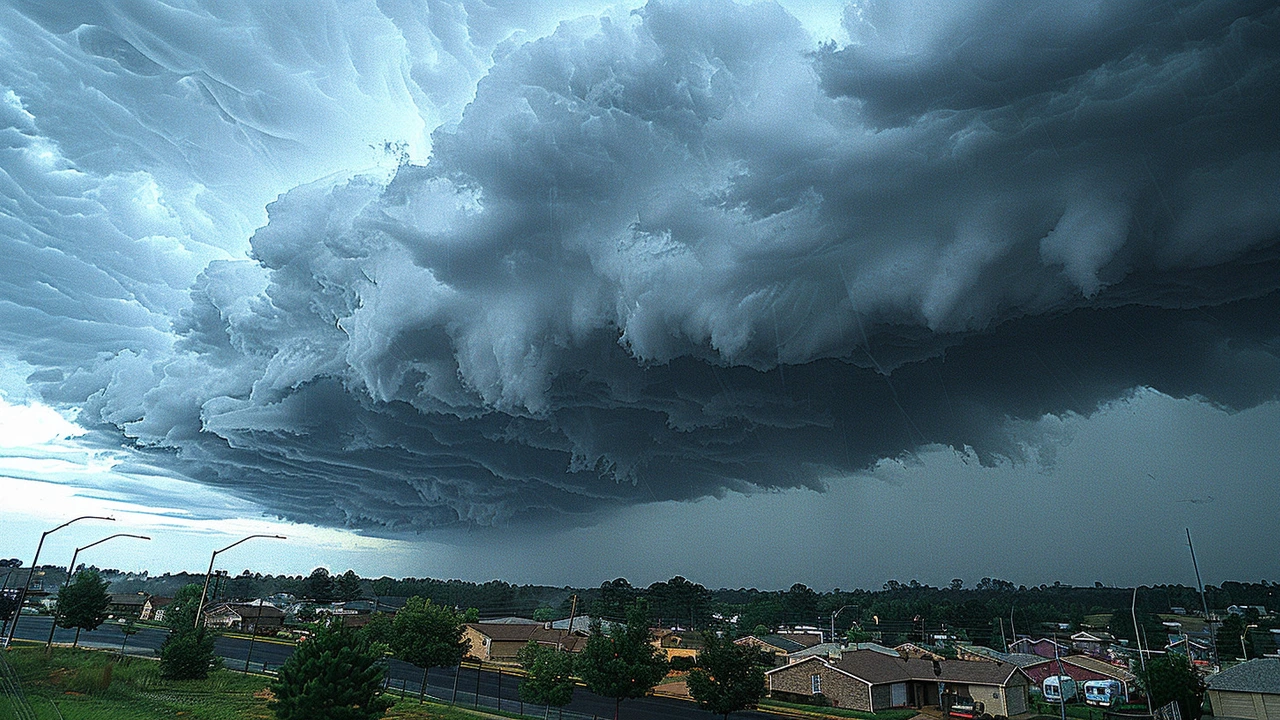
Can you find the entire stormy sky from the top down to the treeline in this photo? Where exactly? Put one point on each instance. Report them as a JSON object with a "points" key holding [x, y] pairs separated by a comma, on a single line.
{"points": [[564, 291]]}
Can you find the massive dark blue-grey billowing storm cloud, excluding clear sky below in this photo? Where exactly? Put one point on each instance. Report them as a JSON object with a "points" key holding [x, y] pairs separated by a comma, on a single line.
{"points": [[657, 256]]}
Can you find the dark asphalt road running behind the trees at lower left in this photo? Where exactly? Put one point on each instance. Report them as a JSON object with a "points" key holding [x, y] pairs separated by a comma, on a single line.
{"points": [[441, 681]]}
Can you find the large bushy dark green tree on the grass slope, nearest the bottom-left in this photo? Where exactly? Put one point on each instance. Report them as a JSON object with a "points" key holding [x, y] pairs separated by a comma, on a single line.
{"points": [[335, 676]]}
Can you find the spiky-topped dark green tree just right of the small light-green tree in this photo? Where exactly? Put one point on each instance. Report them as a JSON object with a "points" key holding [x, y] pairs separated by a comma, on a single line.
{"points": [[621, 663]]}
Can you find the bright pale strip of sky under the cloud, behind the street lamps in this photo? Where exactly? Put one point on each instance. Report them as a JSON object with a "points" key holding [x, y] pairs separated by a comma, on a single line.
{"points": [[48, 477]]}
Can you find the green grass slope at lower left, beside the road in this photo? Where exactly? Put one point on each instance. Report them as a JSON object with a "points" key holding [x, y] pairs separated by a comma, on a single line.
{"points": [[97, 686]]}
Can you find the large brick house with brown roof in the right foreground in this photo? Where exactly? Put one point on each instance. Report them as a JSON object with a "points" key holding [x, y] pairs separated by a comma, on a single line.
{"points": [[872, 682]]}
